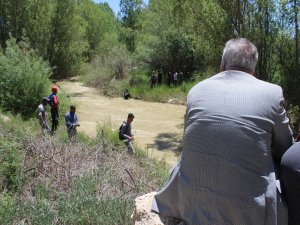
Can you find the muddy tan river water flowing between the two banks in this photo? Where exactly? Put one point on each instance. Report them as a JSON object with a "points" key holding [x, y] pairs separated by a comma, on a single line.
{"points": [[158, 127]]}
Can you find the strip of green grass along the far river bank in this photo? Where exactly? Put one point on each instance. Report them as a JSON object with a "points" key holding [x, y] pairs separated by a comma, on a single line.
{"points": [[138, 84]]}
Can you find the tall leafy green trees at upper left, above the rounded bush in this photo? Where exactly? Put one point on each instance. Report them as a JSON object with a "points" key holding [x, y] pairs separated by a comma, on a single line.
{"points": [[64, 32]]}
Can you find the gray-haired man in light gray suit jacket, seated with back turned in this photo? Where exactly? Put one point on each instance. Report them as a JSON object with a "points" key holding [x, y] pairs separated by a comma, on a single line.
{"points": [[236, 132]]}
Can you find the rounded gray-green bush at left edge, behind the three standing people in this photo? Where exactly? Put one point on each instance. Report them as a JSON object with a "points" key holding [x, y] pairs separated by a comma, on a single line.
{"points": [[23, 78]]}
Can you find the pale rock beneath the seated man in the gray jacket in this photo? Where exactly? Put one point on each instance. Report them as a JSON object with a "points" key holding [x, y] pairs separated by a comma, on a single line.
{"points": [[142, 214]]}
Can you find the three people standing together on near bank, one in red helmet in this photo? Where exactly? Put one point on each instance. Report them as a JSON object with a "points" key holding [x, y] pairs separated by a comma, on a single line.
{"points": [[71, 119]]}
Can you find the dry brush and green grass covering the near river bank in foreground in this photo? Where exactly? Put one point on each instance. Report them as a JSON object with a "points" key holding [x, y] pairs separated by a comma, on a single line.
{"points": [[87, 182]]}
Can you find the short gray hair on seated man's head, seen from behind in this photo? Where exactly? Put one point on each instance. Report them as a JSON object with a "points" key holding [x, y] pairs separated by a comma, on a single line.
{"points": [[240, 53]]}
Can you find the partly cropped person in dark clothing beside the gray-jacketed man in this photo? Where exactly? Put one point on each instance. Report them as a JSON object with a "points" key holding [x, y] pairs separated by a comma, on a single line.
{"points": [[290, 179]]}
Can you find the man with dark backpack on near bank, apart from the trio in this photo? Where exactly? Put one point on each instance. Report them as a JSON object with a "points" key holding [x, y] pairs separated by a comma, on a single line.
{"points": [[125, 133]]}
